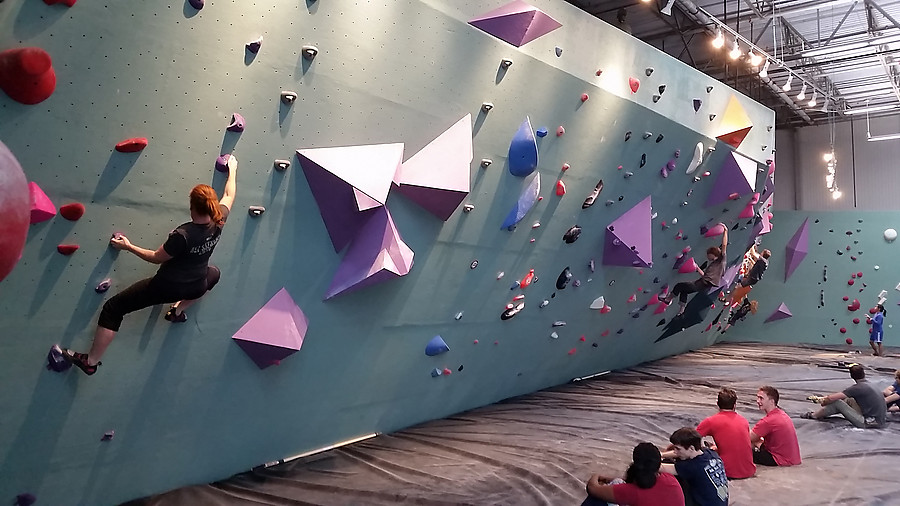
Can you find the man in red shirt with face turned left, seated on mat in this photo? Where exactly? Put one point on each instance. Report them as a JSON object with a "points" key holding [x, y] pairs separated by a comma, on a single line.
{"points": [[774, 436]]}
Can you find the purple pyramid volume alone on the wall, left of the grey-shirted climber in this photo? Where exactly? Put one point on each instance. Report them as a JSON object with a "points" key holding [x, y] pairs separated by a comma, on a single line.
{"points": [[629, 241]]}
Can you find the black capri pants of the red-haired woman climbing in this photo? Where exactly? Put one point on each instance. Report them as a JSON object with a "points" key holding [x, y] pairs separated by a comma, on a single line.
{"points": [[150, 292]]}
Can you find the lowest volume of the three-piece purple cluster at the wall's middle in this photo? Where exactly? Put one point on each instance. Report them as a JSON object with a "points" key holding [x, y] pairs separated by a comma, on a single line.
{"points": [[377, 254]]}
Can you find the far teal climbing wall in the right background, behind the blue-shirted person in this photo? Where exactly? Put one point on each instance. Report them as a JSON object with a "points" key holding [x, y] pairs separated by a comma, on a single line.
{"points": [[827, 272]]}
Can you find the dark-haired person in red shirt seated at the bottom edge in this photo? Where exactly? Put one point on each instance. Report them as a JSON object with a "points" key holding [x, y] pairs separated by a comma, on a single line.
{"points": [[644, 484]]}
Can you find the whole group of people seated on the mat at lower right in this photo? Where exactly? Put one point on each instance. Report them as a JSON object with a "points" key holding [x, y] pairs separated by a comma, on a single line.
{"points": [[698, 473]]}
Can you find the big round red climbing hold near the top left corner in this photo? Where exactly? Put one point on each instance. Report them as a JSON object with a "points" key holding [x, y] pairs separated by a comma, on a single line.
{"points": [[27, 75]]}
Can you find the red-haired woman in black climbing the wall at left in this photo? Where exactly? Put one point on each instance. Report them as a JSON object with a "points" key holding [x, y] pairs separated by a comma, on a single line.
{"points": [[183, 276]]}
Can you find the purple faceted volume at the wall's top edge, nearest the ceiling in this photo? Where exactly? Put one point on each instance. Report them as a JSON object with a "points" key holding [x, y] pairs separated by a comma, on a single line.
{"points": [[516, 22]]}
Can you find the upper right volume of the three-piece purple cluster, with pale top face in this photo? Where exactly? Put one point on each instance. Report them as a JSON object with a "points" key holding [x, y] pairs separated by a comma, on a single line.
{"points": [[437, 177]]}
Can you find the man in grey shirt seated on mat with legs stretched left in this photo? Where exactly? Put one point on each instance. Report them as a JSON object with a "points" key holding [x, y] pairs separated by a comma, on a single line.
{"points": [[860, 404]]}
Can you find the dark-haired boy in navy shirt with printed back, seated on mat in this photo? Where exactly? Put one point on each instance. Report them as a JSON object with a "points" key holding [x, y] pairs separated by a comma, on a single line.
{"points": [[699, 470]]}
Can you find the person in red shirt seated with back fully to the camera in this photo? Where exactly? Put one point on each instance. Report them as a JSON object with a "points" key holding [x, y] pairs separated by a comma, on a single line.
{"points": [[731, 433]]}
